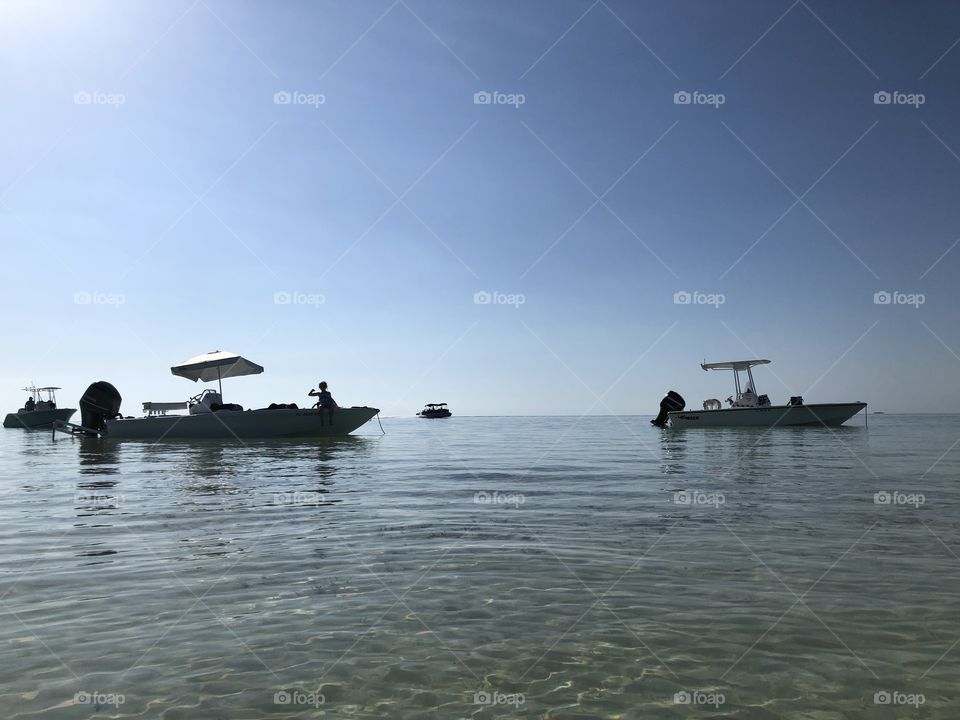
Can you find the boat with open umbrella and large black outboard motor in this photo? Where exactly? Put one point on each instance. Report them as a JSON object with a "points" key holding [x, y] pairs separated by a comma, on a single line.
{"points": [[208, 416]]}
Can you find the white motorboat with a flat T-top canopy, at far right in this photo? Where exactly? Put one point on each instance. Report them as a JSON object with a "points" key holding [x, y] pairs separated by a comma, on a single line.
{"points": [[747, 408]]}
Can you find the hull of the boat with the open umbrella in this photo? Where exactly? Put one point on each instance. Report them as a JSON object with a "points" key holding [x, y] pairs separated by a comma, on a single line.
{"points": [[226, 424]]}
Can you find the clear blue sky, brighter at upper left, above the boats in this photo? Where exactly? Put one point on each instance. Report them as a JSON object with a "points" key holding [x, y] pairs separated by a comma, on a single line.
{"points": [[518, 208]]}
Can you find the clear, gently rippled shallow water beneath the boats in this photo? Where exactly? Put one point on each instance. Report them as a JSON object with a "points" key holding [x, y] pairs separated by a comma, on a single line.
{"points": [[363, 578]]}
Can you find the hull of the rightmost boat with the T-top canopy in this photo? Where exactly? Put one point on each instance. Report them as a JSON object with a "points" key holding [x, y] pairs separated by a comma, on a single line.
{"points": [[829, 414]]}
